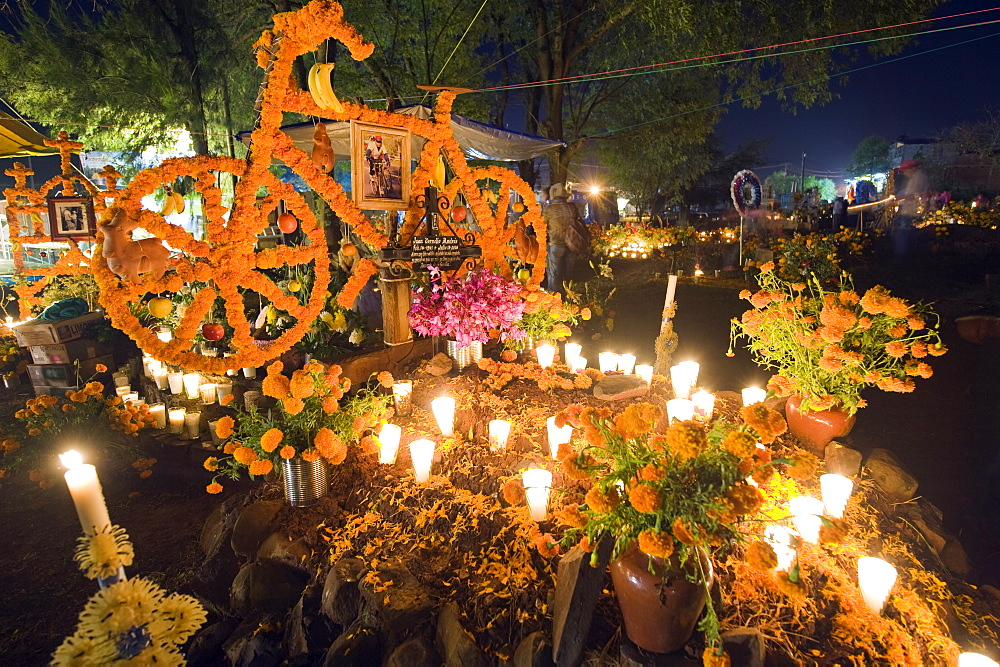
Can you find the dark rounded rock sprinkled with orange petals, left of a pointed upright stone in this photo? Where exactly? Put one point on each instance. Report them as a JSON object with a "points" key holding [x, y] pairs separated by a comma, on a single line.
{"points": [[402, 609]]}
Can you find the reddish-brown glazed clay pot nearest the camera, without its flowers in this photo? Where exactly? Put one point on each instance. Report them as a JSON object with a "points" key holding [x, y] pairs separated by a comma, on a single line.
{"points": [[660, 608]]}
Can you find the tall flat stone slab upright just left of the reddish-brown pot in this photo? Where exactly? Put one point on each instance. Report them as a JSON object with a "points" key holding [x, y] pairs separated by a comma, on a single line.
{"points": [[577, 587]]}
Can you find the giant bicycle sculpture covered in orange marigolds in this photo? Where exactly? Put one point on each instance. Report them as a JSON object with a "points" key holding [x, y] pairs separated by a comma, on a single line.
{"points": [[228, 261]]}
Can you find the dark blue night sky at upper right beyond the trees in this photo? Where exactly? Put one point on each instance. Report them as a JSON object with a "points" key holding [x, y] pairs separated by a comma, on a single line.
{"points": [[917, 96]]}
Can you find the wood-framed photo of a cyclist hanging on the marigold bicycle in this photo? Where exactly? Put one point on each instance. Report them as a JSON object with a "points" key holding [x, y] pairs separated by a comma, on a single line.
{"points": [[380, 166]]}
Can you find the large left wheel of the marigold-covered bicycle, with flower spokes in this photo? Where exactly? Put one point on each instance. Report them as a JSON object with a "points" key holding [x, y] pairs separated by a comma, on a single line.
{"points": [[223, 272]]}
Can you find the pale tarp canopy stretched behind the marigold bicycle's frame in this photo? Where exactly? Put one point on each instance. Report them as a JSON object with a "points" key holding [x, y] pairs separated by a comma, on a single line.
{"points": [[478, 140]]}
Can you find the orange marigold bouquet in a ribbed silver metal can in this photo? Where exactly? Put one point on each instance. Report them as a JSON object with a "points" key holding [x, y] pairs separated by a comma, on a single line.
{"points": [[309, 430]]}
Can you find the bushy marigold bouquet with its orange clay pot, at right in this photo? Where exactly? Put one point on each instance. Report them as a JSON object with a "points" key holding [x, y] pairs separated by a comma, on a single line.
{"points": [[826, 346]]}
